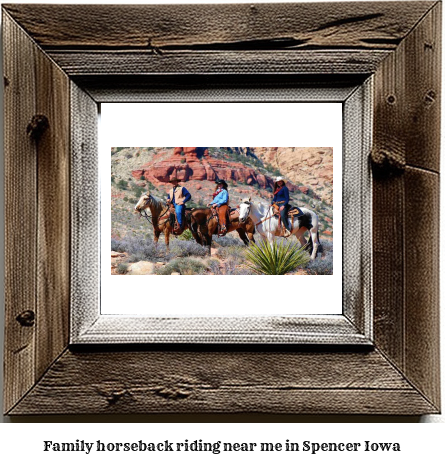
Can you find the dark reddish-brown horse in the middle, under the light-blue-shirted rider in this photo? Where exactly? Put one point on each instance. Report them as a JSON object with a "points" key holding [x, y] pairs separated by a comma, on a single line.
{"points": [[205, 223]]}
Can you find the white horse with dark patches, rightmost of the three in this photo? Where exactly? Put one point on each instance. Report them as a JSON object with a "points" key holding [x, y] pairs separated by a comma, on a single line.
{"points": [[267, 224]]}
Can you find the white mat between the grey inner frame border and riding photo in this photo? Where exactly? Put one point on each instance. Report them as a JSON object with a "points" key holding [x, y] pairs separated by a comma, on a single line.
{"points": [[230, 124]]}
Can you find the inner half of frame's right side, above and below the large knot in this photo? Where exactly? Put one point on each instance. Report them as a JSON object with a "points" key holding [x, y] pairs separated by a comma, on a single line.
{"points": [[388, 202]]}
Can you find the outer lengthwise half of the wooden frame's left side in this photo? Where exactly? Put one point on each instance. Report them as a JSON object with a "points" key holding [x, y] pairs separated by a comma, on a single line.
{"points": [[20, 212]]}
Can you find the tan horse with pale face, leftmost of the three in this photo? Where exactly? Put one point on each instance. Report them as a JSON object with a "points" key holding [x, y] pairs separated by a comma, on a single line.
{"points": [[160, 217]]}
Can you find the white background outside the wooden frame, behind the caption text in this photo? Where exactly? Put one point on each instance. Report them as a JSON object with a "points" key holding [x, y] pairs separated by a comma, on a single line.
{"points": [[22, 442]]}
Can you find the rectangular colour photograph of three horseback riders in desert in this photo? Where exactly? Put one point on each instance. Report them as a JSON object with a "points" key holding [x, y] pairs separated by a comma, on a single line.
{"points": [[221, 210]]}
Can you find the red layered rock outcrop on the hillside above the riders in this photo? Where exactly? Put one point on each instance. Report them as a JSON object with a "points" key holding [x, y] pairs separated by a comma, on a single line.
{"points": [[195, 163]]}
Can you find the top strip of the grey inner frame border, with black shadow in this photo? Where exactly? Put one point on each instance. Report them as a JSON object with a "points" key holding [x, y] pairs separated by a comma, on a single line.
{"points": [[218, 87]]}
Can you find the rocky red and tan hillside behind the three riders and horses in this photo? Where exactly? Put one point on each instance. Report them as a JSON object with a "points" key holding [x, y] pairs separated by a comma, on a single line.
{"points": [[249, 172]]}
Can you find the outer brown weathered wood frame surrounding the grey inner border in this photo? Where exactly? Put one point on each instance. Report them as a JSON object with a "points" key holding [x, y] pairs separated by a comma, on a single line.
{"points": [[66, 60]]}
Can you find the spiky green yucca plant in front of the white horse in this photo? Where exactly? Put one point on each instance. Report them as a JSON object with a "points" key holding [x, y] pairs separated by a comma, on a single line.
{"points": [[276, 258]]}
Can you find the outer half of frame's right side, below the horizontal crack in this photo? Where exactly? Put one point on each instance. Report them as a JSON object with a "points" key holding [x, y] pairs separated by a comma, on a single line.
{"points": [[422, 281]]}
